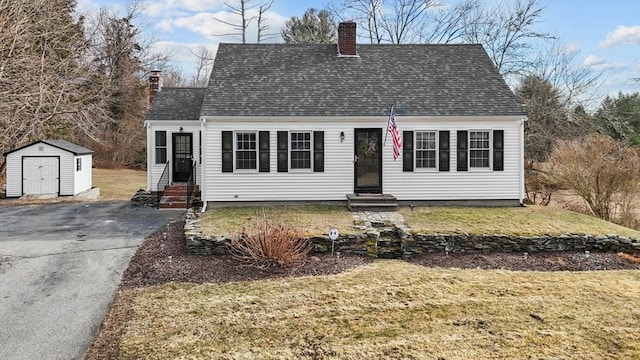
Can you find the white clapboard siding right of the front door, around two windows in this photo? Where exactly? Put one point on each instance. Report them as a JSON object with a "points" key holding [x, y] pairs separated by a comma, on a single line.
{"points": [[474, 184]]}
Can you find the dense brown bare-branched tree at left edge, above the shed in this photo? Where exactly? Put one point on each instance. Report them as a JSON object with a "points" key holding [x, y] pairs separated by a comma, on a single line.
{"points": [[47, 88]]}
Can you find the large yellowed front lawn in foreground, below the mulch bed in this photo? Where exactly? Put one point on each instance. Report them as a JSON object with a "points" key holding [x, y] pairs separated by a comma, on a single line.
{"points": [[392, 309]]}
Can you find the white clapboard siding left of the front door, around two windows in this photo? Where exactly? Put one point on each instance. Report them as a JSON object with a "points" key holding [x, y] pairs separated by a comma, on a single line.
{"points": [[333, 184]]}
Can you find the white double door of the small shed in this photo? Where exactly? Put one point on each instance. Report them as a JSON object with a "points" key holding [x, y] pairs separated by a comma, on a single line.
{"points": [[40, 175]]}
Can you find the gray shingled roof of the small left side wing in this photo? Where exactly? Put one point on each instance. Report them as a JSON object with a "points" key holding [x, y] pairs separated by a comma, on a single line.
{"points": [[176, 104]]}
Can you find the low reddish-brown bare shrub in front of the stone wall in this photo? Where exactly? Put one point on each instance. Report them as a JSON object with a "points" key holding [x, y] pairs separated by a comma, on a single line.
{"points": [[267, 244]]}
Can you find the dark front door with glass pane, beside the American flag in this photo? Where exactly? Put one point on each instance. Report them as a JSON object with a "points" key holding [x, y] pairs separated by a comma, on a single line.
{"points": [[368, 161]]}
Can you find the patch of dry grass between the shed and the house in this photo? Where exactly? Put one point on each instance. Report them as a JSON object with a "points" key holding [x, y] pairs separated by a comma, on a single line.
{"points": [[119, 184]]}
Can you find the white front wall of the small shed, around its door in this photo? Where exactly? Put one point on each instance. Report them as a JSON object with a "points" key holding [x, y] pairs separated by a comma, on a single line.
{"points": [[14, 168]]}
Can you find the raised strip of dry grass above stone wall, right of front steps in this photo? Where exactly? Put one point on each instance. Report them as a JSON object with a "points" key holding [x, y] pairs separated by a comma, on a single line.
{"points": [[530, 220]]}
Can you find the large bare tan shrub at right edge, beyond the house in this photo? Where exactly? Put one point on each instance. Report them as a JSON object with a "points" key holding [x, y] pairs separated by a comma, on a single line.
{"points": [[603, 172]]}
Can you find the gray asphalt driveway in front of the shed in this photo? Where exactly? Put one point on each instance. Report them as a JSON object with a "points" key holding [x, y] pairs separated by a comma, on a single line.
{"points": [[59, 268]]}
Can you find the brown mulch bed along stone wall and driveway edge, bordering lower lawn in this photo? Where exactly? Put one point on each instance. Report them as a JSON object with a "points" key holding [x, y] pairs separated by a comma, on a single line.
{"points": [[163, 258]]}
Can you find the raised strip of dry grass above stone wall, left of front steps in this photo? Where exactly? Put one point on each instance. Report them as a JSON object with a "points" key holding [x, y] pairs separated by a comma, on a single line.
{"points": [[311, 219]]}
